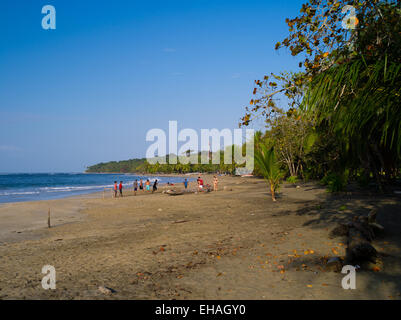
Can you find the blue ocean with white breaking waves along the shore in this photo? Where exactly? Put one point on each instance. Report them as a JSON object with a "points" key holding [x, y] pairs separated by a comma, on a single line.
{"points": [[16, 187]]}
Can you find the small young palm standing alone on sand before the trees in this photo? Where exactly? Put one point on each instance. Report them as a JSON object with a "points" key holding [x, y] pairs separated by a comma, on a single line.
{"points": [[265, 159]]}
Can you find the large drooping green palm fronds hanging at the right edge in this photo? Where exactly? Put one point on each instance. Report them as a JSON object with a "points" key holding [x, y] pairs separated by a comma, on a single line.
{"points": [[359, 100]]}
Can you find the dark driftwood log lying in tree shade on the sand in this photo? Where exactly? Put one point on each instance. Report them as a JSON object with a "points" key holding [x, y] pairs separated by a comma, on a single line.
{"points": [[360, 232]]}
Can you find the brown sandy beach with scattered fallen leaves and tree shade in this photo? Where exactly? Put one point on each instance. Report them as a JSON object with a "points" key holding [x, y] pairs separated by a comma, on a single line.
{"points": [[230, 244]]}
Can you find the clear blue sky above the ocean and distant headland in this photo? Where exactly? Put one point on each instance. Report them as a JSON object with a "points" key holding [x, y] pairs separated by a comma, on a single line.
{"points": [[89, 91]]}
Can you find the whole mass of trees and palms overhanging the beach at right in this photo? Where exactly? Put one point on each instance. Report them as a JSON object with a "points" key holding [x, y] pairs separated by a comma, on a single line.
{"points": [[349, 91]]}
